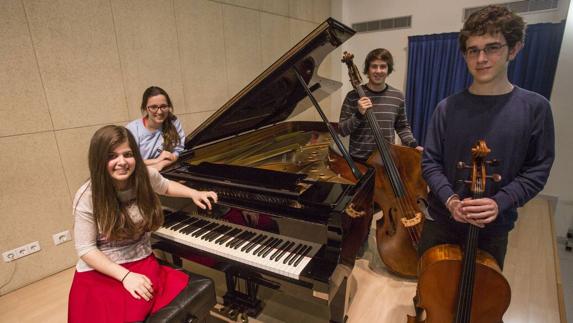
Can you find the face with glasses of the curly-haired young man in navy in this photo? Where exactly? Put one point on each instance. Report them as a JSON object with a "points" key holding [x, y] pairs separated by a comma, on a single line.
{"points": [[489, 67]]}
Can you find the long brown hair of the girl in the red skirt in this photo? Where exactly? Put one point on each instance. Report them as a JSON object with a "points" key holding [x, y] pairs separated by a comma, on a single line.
{"points": [[110, 213]]}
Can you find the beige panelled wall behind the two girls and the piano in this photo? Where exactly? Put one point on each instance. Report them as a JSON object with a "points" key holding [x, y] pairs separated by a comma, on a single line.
{"points": [[68, 67]]}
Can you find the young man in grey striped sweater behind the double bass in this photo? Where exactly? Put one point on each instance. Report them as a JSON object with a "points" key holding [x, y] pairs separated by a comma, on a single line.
{"points": [[387, 104]]}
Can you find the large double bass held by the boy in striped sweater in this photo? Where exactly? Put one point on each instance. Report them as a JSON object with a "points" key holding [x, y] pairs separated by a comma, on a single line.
{"points": [[400, 191]]}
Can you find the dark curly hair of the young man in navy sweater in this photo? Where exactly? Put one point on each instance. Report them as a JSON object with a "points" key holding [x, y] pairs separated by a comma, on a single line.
{"points": [[493, 19]]}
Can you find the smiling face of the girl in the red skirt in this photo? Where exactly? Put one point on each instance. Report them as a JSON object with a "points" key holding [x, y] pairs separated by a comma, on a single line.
{"points": [[121, 165]]}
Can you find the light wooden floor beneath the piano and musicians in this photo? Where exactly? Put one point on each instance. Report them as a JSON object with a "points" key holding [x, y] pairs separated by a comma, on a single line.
{"points": [[374, 295]]}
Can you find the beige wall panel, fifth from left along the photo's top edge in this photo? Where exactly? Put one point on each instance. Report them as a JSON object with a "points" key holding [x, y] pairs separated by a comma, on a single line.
{"points": [[242, 28]]}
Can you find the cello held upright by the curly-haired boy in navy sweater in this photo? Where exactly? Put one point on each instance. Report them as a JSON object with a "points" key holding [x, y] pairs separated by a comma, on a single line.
{"points": [[463, 286]]}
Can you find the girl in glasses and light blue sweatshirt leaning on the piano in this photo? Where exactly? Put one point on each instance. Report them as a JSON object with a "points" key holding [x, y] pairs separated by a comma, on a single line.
{"points": [[158, 133]]}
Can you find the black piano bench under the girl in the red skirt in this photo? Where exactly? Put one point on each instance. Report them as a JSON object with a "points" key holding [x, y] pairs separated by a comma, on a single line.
{"points": [[192, 305]]}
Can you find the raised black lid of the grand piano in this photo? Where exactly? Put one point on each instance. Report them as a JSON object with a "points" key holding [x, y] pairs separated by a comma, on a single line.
{"points": [[273, 96]]}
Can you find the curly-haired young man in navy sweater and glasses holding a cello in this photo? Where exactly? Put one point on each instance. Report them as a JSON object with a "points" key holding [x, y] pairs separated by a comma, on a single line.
{"points": [[516, 124]]}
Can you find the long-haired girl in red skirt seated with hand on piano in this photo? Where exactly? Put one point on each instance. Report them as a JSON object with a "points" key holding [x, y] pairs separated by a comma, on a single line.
{"points": [[117, 277]]}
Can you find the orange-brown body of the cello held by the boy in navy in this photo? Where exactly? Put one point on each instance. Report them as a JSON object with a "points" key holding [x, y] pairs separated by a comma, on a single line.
{"points": [[438, 285]]}
